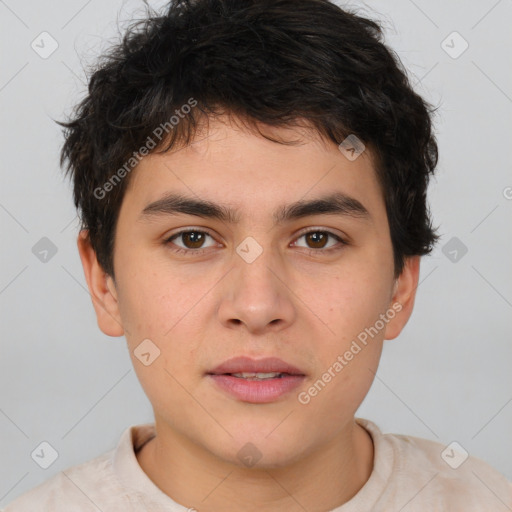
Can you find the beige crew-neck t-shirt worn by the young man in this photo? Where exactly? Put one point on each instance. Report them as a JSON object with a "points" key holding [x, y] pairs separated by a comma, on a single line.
{"points": [[409, 475]]}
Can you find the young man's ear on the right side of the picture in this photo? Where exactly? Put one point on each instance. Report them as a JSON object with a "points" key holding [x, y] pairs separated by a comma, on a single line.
{"points": [[404, 294]]}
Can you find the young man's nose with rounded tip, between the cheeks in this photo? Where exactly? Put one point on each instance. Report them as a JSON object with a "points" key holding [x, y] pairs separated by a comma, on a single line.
{"points": [[258, 295]]}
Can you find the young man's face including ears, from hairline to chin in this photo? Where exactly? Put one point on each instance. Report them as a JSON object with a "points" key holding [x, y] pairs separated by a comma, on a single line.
{"points": [[303, 290]]}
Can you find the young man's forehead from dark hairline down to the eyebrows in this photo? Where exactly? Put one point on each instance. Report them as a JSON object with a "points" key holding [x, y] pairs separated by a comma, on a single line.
{"points": [[238, 169]]}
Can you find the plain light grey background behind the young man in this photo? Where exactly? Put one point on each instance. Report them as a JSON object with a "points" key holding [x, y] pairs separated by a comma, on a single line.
{"points": [[447, 377]]}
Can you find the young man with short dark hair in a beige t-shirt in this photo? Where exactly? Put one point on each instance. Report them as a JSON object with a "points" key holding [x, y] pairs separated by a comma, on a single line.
{"points": [[251, 177]]}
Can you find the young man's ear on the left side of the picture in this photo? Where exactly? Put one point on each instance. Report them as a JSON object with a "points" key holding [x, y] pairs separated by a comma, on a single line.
{"points": [[101, 287]]}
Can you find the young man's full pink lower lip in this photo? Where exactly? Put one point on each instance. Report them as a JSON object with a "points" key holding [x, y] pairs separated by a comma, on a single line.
{"points": [[257, 391]]}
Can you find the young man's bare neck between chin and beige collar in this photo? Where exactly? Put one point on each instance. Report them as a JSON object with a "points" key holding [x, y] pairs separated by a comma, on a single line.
{"points": [[321, 481]]}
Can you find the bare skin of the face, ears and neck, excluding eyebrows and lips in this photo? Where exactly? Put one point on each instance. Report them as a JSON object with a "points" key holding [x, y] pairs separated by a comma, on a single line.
{"points": [[201, 310]]}
